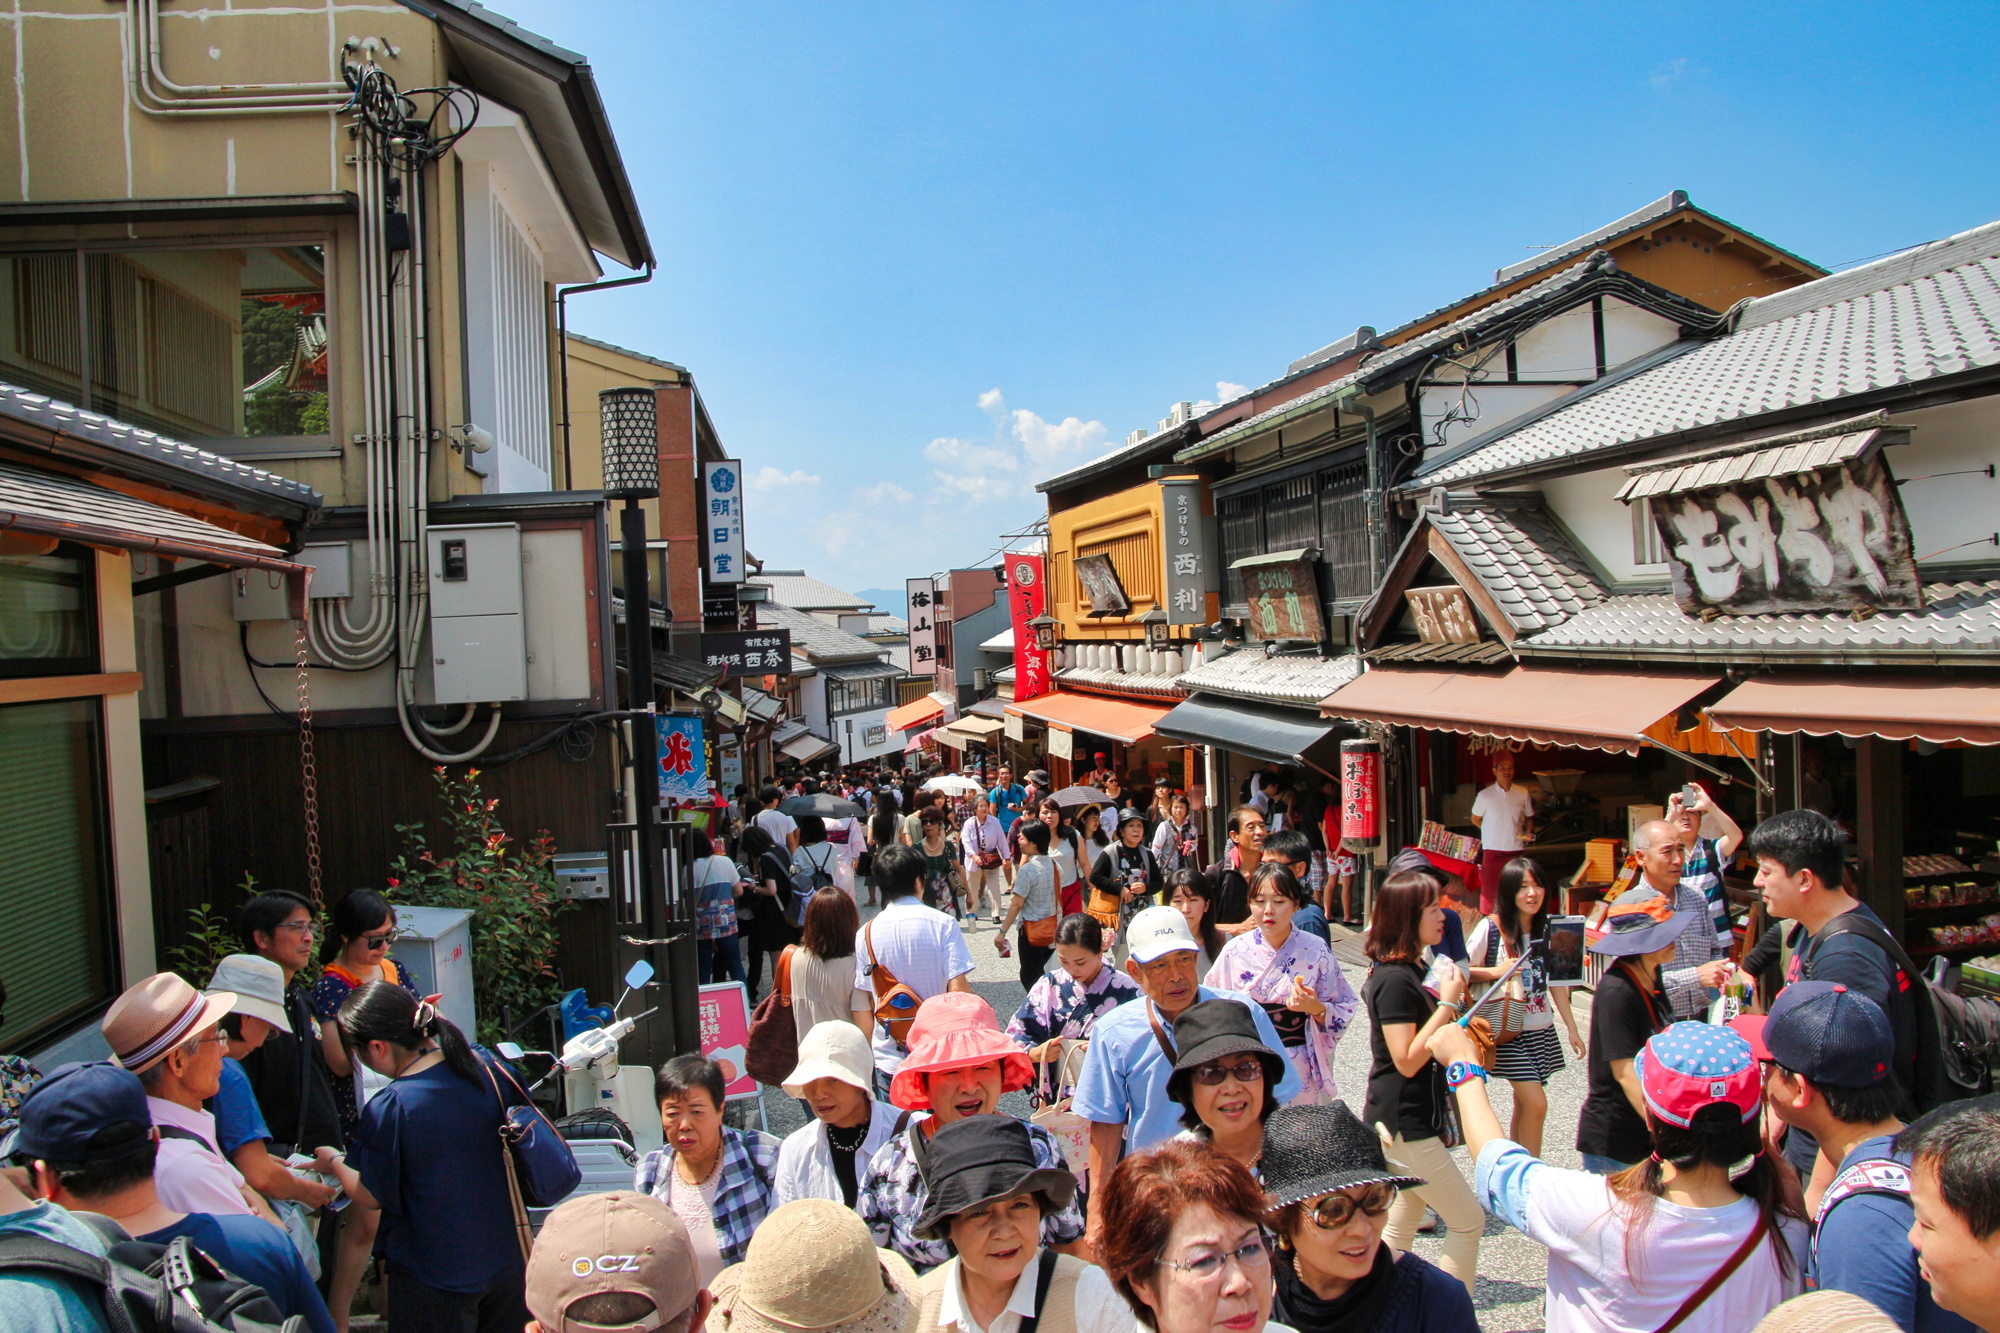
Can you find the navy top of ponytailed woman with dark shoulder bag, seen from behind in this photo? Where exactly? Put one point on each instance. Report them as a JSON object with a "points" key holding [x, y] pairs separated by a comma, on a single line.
{"points": [[429, 1152]]}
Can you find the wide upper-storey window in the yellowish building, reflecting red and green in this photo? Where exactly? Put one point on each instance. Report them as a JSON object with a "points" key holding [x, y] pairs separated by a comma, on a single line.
{"points": [[199, 345]]}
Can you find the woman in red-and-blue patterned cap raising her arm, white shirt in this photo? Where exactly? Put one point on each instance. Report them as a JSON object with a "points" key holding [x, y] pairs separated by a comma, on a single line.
{"points": [[1697, 1238]]}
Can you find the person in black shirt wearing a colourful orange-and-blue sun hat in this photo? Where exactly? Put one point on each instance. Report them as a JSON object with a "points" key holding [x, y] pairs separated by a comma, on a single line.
{"points": [[1625, 1014]]}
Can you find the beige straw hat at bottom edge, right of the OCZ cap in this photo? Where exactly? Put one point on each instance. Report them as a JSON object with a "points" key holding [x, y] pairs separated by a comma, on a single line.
{"points": [[813, 1268]]}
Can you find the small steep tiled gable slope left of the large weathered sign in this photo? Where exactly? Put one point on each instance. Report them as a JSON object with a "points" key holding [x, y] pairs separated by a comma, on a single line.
{"points": [[1523, 559]]}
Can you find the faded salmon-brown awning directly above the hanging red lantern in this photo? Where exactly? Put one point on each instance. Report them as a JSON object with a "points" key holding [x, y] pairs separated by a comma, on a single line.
{"points": [[1585, 710]]}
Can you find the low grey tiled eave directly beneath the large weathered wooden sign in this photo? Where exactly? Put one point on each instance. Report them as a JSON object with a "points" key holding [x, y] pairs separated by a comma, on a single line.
{"points": [[1961, 625]]}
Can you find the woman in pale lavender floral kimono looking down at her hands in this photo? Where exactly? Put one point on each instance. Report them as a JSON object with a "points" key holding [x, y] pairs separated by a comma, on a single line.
{"points": [[1293, 978]]}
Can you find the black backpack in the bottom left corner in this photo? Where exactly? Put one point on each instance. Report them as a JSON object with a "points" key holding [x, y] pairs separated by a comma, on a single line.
{"points": [[151, 1288]]}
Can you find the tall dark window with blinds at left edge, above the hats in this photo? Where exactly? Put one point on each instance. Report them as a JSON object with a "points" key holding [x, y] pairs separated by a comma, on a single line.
{"points": [[57, 954]]}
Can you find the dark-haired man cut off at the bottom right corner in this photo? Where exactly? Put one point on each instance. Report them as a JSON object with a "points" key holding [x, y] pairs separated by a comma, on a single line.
{"points": [[1955, 1188]]}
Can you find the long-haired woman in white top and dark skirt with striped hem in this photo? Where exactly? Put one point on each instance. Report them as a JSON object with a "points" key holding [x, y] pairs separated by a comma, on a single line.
{"points": [[1533, 1056]]}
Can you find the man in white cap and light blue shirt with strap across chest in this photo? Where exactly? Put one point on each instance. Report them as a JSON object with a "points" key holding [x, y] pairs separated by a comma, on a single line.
{"points": [[1123, 1088]]}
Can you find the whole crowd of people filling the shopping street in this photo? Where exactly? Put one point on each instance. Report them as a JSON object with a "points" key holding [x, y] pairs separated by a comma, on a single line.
{"points": [[1189, 1162]]}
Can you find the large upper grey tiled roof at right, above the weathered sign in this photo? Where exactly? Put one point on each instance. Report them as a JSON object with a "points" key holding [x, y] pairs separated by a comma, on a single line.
{"points": [[1901, 321]]}
